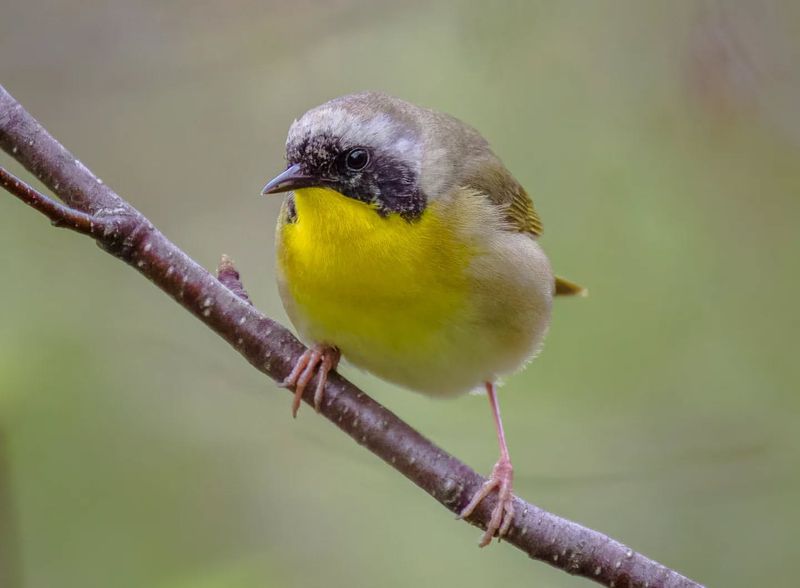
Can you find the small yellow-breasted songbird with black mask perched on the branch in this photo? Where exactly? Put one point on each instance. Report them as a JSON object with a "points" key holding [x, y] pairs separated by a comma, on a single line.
{"points": [[405, 245]]}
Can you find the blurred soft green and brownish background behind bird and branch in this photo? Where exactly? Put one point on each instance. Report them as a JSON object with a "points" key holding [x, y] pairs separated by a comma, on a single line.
{"points": [[661, 142]]}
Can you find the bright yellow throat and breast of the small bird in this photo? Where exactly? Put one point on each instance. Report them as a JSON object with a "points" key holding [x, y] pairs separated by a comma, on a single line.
{"points": [[372, 285]]}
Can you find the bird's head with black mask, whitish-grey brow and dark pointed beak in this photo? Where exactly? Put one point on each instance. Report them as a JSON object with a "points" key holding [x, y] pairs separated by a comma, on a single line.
{"points": [[380, 150]]}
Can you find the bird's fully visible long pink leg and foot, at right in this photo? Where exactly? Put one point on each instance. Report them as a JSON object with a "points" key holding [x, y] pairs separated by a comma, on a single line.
{"points": [[500, 480]]}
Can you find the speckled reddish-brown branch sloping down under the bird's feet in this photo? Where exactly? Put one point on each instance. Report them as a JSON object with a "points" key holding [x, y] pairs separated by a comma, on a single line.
{"points": [[224, 307]]}
